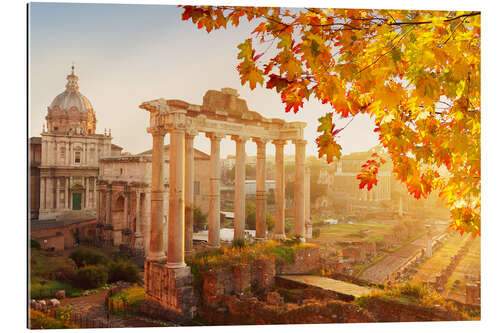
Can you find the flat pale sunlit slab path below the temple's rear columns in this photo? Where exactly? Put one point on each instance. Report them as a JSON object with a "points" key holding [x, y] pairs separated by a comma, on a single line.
{"points": [[340, 287]]}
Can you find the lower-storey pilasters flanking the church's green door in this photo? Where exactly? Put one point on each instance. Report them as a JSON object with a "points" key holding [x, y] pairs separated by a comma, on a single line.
{"points": [[50, 194]]}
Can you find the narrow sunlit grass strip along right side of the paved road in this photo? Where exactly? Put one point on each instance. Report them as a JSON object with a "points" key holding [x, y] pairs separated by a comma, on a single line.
{"points": [[441, 258]]}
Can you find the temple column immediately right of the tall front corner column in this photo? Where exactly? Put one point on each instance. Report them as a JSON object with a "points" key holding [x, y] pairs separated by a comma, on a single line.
{"points": [[189, 194]]}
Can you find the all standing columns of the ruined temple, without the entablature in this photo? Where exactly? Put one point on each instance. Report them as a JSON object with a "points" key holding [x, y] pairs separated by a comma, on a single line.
{"points": [[181, 197]]}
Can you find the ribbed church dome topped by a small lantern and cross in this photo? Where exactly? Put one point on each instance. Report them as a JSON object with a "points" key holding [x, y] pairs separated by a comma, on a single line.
{"points": [[71, 112]]}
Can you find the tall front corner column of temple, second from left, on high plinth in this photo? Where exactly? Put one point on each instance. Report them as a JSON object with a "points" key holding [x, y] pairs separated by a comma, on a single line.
{"points": [[176, 216]]}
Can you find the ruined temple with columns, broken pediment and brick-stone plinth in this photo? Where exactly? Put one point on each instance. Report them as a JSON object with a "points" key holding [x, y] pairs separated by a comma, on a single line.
{"points": [[167, 278]]}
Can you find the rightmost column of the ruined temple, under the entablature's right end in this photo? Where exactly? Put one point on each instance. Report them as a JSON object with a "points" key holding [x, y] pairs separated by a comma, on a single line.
{"points": [[299, 191]]}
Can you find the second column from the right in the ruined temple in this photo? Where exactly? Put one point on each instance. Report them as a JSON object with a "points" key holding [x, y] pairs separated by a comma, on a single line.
{"points": [[279, 193]]}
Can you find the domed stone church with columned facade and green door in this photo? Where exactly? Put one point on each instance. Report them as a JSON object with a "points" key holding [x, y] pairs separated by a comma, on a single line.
{"points": [[69, 156]]}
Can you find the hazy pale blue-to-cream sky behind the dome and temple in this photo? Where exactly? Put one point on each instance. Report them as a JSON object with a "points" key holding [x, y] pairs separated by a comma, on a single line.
{"points": [[127, 54]]}
